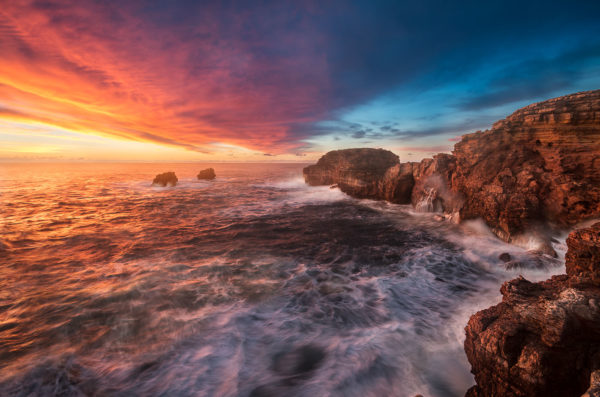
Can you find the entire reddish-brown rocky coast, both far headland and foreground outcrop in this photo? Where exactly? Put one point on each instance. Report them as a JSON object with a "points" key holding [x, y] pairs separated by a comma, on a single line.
{"points": [[530, 175]]}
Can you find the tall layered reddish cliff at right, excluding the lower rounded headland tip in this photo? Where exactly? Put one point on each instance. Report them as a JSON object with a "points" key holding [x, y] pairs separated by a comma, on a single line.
{"points": [[542, 163]]}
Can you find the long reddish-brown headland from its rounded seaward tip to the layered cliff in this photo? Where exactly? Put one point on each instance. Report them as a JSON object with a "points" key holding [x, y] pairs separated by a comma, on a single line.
{"points": [[538, 167]]}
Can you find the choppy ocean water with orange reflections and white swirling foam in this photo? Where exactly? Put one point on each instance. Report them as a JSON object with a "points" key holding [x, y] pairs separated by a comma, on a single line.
{"points": [[250, 285]]}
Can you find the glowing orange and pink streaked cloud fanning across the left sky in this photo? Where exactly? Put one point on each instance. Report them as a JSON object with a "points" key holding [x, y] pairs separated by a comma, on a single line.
{"points": [[91, 68]]}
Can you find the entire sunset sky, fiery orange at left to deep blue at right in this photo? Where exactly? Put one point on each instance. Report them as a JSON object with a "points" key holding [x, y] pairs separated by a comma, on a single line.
{"points": [[278, 80]]}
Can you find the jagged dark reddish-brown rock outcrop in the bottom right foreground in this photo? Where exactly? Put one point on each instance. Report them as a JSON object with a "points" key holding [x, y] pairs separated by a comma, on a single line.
{"points": [[543, 339]]}
